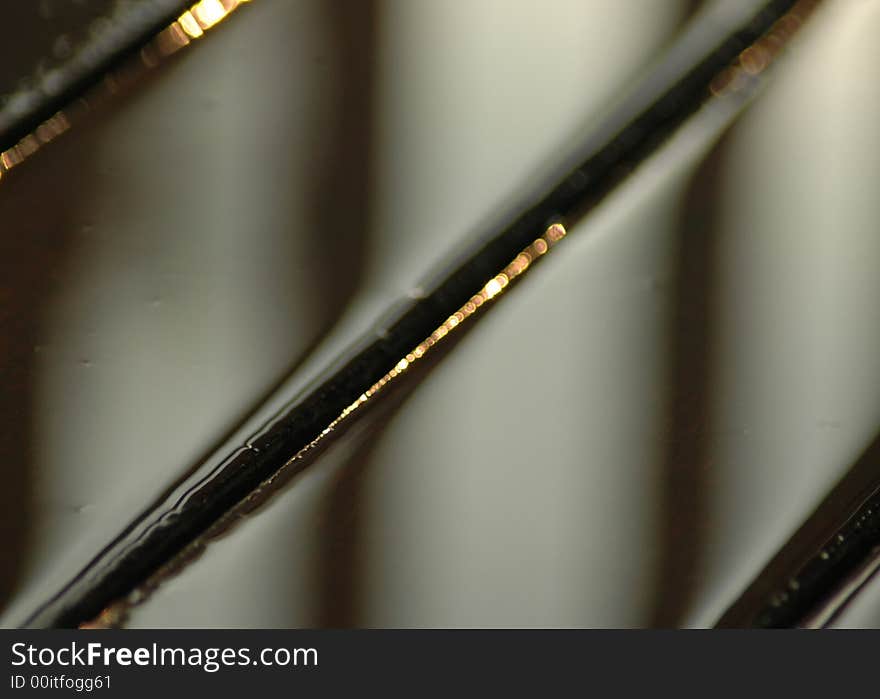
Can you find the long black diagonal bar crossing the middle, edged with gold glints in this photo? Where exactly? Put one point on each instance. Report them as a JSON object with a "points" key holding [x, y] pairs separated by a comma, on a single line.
{"points": [[576, 191]]}
